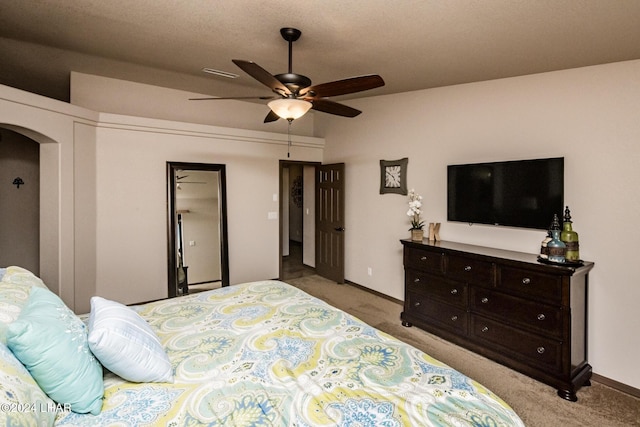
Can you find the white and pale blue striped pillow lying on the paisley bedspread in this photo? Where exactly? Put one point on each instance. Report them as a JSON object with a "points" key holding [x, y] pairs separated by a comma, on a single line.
{"points": [[125, 344]]}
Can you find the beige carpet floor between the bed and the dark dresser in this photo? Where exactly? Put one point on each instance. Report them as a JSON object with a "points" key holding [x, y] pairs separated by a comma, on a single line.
{"points": [[536, 403]]}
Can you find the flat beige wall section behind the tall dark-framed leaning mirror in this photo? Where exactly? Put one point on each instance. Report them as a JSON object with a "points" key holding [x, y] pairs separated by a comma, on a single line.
{"points": [[131, 238]]}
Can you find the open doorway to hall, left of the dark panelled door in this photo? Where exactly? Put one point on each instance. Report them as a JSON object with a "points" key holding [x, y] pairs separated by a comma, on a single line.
{"points": [[297, 219]]}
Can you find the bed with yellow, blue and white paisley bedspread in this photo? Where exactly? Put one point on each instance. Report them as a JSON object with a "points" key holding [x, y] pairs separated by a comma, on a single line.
{"points": [[254, 354]]}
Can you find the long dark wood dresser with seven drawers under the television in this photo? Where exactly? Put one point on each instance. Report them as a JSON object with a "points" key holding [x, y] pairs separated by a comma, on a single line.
{"points": [[505, 305]]}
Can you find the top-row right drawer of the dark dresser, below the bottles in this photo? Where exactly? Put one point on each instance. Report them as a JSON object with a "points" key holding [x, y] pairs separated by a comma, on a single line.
{"points": [[531, 284]]}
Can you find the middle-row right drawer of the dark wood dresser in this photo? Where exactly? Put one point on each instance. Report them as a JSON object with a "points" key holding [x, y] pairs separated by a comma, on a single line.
{"points": [[544, 318]]}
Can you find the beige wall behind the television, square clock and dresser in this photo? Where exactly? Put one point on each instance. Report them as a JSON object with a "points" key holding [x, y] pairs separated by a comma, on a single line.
{"points": [[588, 115]]}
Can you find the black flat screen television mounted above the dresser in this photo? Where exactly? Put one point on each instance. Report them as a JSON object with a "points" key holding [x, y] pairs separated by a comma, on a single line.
{"points": [[521, 193]]}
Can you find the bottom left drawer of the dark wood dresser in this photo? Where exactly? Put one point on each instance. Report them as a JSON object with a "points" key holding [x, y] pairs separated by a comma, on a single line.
{"points": [[443, 315]]}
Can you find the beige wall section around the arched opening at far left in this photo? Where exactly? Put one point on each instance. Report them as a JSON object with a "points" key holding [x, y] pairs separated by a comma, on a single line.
{"points": [[61, 130]]}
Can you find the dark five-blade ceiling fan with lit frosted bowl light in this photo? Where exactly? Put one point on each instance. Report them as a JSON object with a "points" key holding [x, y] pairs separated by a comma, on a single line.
{"points": [[295, 94]]}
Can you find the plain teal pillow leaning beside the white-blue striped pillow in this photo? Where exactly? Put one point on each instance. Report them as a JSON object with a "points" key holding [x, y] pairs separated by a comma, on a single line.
{"points": [[51, 342]]}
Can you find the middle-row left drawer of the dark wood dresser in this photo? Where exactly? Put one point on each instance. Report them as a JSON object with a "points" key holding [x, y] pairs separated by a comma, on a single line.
{"points": [[437, 288]]}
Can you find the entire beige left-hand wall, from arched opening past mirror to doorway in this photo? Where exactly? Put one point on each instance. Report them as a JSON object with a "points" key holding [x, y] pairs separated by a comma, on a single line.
{"points": [[103, 225]]}
